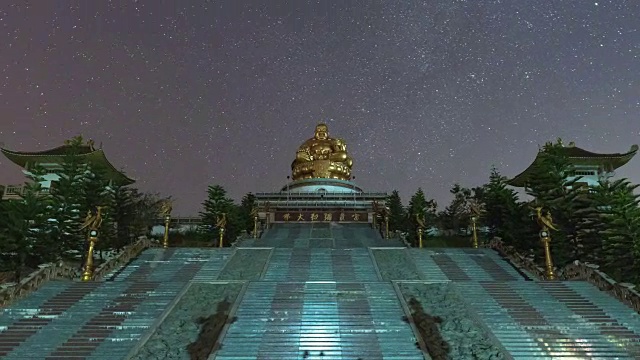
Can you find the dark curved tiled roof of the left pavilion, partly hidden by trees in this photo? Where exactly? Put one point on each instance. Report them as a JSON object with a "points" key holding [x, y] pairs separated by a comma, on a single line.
{"points": [[93, 156]]}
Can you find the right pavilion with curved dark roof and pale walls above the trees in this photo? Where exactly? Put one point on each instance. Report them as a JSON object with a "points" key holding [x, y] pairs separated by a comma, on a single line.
{"points": [[591, 167]]}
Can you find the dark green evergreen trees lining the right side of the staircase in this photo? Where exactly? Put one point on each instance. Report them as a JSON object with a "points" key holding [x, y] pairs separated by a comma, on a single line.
{"points": [[598, 224]]}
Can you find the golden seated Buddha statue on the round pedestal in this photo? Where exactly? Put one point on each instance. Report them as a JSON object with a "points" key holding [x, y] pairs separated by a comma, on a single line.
{"points": [[322, 157]]}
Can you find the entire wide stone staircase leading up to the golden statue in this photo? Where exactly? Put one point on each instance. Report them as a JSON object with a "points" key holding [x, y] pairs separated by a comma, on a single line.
{"points": [[319, 292]]}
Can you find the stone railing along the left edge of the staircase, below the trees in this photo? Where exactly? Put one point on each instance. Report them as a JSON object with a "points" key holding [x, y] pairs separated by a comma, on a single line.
{"points": [[52, 271]]}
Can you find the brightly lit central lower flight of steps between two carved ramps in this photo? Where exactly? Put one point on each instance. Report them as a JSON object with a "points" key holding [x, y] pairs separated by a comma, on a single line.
{"points": [[343, 320]]}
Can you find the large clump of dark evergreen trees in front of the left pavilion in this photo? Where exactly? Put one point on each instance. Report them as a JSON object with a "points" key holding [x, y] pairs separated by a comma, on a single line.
{"points": [[43, 225]]}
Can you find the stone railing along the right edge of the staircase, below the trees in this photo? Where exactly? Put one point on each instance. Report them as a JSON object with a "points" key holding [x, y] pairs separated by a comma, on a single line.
{"points": [[577, 270]]}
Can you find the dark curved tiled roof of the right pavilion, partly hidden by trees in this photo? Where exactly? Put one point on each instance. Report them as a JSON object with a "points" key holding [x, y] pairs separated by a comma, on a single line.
{"points": [[579, 156]]}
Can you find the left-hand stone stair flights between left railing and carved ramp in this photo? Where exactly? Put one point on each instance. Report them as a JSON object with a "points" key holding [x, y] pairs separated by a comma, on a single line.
{"points": [[99, 320]]}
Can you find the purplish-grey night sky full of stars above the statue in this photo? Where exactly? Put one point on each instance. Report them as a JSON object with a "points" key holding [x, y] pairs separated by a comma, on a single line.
{"points": [[184, 94]]}
